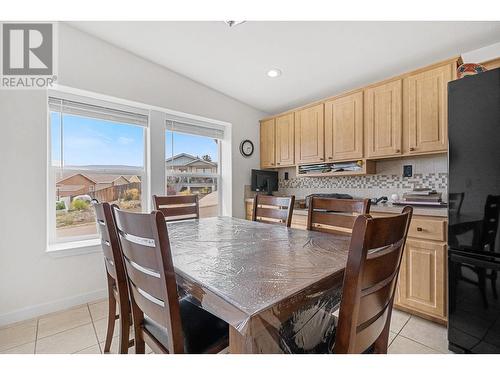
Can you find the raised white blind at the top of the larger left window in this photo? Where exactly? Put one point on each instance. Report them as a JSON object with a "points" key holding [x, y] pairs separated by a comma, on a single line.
{"points": [[94, 111]]}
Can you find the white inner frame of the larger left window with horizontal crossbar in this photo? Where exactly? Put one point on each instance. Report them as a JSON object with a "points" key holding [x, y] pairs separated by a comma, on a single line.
{"points": [[53, 242]]}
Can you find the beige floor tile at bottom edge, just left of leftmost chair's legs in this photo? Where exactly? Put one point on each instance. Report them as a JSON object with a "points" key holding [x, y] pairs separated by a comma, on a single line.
{"points": [[69, 341]]}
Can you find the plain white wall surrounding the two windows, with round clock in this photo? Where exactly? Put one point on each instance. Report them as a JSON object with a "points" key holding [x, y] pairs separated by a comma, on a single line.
{"points": [[31, 281]]}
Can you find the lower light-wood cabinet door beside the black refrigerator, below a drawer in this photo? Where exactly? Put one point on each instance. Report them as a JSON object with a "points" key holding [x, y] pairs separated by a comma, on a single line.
{"points": [[422, 277]]}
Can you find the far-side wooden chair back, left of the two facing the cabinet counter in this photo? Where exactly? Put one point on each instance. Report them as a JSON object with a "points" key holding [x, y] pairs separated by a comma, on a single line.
{"points": [[273, 210]]}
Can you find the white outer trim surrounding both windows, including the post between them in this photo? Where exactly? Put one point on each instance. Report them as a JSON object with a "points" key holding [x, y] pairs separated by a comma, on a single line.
{"points": [[154, 153]]}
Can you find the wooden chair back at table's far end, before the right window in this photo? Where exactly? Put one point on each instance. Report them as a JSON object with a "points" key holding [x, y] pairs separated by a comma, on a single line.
{"points": [[178, 207]]}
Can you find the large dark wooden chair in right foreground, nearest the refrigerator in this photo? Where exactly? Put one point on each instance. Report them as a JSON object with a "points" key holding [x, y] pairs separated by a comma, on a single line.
{"points": [[370, 277]]}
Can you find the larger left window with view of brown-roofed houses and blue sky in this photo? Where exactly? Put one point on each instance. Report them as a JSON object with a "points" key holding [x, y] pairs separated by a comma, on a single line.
{"points": [[95, 152]]}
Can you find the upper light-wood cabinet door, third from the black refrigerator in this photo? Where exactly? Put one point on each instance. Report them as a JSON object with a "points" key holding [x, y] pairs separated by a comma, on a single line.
{"points": [[344, 128]]}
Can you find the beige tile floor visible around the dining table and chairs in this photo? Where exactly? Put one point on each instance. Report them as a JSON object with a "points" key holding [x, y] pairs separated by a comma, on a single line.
{"points": [[82, 330]]}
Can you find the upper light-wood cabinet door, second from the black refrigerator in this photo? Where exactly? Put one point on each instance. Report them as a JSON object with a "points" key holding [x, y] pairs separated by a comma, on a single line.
{"points": [[383, 119]]}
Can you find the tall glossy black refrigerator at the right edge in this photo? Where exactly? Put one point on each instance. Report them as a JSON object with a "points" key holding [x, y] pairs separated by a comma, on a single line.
{"points": [[474, 207]]}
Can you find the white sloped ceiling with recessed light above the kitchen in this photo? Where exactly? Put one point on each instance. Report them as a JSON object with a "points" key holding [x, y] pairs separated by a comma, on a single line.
{"points": [[318, 59]]}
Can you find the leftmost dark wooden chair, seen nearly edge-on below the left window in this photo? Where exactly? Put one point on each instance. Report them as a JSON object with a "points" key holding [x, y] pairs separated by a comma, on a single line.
{"points": [[116, 278]]}
